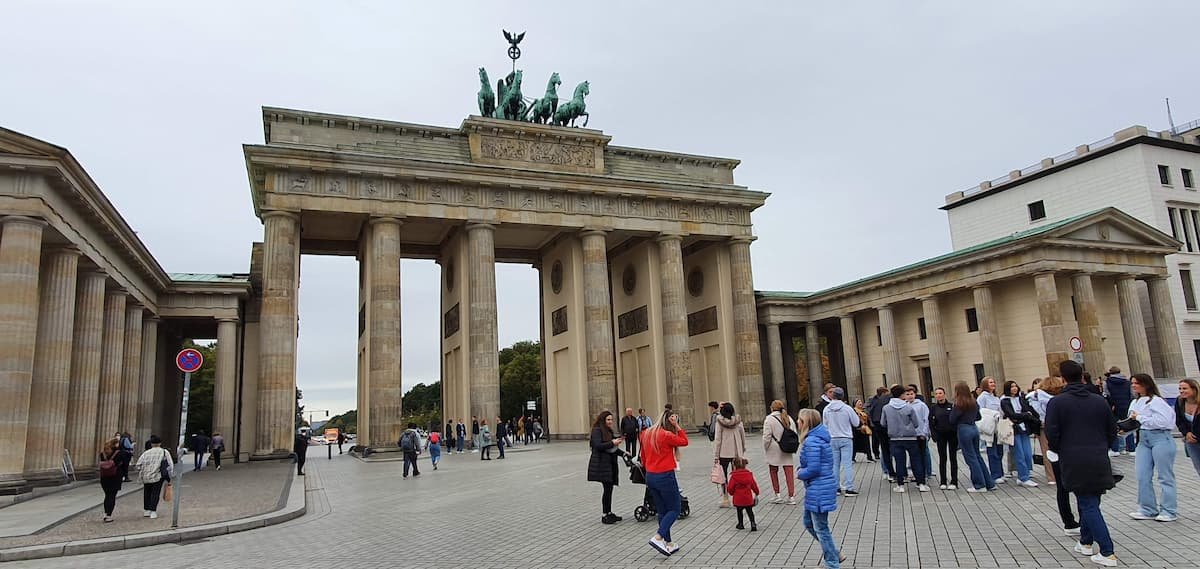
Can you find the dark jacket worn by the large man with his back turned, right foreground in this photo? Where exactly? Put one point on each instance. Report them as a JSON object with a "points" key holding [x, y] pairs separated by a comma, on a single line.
{"points": [[1081, 429]]}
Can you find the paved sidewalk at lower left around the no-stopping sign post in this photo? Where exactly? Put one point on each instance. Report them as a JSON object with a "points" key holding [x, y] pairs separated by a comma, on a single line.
{"points": [[208, 496]]}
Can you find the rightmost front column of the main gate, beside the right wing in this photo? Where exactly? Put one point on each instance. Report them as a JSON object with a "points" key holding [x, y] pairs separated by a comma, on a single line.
{"points": [[746, 332]]}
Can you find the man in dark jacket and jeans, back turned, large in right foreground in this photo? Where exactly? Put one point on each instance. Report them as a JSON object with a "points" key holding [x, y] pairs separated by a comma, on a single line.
{"points": [[1079, 432]]}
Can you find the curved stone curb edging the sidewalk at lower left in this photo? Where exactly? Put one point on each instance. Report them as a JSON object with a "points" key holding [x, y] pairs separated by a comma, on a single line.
{"points": [[296, 507]]}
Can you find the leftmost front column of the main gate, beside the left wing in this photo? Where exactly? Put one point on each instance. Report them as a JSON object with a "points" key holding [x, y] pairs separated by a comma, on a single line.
{"points": [[278, 344]]}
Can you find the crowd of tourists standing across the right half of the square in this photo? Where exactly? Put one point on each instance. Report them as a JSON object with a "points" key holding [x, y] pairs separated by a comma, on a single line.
{"points": [[1077, 424]]}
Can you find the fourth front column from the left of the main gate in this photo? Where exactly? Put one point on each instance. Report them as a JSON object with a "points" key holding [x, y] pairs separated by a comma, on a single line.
{"points": [[598, 325]]}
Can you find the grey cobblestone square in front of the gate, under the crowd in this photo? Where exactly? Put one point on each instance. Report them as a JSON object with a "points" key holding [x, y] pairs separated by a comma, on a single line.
{"points": [[536, 511]]}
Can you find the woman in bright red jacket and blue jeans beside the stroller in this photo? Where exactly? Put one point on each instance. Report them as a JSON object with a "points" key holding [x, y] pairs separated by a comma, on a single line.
{"points": [[658, 445]]}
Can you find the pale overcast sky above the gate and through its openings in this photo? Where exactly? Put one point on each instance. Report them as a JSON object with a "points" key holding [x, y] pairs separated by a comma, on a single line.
{"points": [[857, 117]]}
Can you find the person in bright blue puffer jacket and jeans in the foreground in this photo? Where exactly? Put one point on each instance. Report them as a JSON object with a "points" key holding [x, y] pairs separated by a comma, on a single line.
{"points": [[820, 486]]}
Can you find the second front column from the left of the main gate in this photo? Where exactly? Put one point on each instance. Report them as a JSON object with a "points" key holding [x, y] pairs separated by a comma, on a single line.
{"points": [[386, 390]]}
